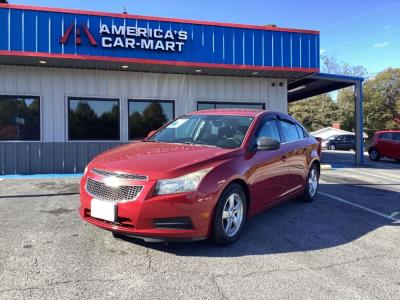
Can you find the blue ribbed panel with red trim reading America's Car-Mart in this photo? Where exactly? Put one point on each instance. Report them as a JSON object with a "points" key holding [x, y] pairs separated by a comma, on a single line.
{"points": [[111, 36]]}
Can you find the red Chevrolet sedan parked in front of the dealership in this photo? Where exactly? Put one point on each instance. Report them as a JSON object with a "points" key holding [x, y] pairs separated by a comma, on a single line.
{"points": [[201, 176]]}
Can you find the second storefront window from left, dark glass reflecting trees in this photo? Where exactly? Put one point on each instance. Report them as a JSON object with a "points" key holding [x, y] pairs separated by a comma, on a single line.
{"points": [[93, 119]]}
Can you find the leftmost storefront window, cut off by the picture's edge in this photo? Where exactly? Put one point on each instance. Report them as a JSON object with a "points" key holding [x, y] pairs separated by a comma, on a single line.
{"points": [[19, 118]]}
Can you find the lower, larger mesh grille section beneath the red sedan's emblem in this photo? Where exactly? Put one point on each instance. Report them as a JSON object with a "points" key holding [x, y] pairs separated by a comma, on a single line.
{"points": [[103, 192]]}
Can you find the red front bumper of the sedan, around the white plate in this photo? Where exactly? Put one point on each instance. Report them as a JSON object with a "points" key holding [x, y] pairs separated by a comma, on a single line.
{"points": [[137, 218]]}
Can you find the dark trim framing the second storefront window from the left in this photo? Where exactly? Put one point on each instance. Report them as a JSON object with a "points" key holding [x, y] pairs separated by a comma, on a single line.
{"points": [[96, 98]]}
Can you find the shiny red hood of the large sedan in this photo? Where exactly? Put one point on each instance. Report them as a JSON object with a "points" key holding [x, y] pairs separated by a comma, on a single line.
{"points": [[160, 160]]}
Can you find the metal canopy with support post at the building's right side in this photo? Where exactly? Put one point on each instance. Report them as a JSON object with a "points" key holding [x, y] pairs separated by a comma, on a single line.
{"points": [[321, 83]]}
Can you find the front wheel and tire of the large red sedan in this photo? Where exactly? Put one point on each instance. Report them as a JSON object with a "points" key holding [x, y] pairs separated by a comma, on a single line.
{"points": [[230, 210]]}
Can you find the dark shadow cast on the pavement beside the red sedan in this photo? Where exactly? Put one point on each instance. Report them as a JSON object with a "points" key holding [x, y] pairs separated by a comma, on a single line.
{"points": [[290, 227]]}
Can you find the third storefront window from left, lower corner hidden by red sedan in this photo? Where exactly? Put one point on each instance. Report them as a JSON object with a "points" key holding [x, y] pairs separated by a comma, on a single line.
{"points": [[148, 115]]}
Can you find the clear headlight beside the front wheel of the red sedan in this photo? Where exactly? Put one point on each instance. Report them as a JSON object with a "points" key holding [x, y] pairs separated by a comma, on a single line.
{"points": [[185, 183]]}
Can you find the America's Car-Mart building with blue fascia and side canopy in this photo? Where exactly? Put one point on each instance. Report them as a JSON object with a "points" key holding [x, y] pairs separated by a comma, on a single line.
{"points": [[75, 83]]}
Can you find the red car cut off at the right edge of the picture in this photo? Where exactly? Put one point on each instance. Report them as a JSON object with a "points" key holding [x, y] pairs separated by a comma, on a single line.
{"points": [[385, 144]]}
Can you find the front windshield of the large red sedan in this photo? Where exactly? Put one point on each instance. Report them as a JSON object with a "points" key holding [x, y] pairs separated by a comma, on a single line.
{"points": [[212, 130]]}
